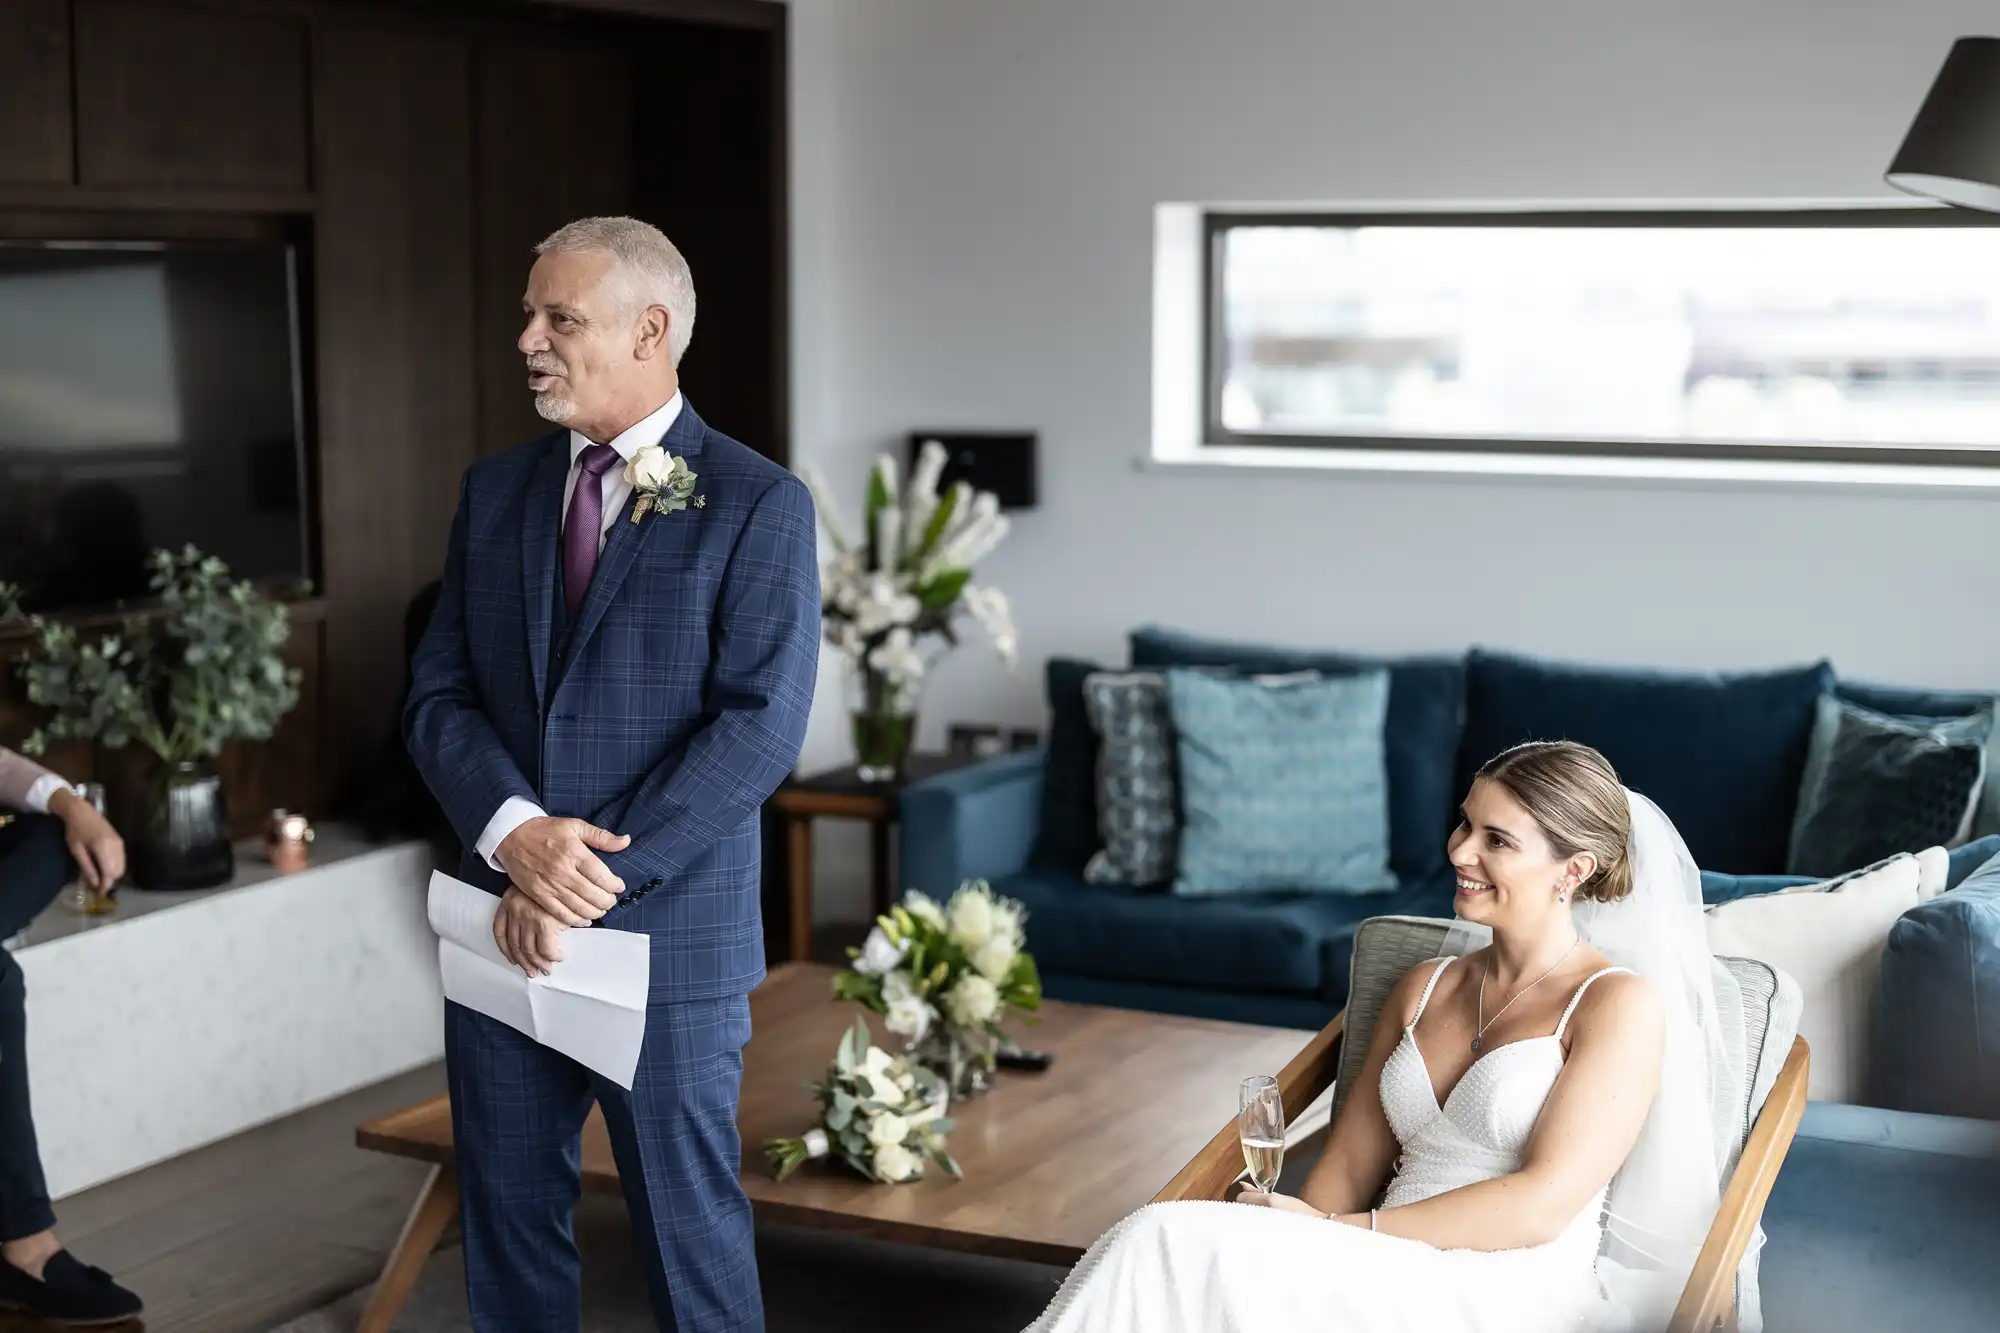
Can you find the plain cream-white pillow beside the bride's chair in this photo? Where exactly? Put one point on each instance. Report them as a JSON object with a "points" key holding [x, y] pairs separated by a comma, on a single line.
{"points": [[1833, 946]]}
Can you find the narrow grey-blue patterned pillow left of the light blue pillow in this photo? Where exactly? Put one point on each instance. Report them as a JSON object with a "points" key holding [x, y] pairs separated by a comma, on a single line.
{"points": [[1137, 794]]}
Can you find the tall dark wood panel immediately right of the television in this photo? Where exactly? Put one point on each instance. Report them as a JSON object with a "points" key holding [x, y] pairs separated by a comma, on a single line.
{"points": [[395, 335]]}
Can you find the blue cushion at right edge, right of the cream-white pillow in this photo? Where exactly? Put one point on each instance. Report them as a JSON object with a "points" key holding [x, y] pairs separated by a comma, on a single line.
{"points": [[1937, 1042]]}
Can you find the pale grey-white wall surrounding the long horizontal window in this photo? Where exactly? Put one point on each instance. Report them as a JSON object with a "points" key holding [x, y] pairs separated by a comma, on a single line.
{"points": [[975, 187]]}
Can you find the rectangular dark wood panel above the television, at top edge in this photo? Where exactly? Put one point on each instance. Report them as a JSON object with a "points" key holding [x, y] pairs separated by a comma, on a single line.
{"points": [[187, 97]]}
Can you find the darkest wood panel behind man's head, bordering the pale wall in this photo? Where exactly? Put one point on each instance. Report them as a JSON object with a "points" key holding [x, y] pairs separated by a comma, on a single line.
{"points": [[711, 177]]}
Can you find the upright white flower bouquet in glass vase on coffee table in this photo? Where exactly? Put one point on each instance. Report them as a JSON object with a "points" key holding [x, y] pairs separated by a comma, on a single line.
{"points": [[945, 980]]}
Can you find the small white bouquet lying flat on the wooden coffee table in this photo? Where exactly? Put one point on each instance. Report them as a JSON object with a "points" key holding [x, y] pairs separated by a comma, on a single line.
{"points": [[879, 1114]]}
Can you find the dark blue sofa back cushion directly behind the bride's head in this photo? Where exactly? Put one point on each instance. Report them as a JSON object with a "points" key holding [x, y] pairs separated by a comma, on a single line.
{"points": [[1721, 754]]}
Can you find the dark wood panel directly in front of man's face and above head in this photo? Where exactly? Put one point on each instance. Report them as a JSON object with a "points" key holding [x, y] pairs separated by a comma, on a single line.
{"points": [[535, 173]]}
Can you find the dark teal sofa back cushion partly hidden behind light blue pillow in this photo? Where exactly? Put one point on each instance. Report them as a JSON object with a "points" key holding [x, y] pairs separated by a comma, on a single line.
{"points": [[1421, 734]]}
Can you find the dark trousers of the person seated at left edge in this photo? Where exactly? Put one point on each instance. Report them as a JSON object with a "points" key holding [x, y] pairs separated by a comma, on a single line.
{"points": [[35, 866]]}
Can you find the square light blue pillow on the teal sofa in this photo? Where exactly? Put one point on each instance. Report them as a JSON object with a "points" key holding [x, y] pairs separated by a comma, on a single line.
{"points": [[1283, 788]]}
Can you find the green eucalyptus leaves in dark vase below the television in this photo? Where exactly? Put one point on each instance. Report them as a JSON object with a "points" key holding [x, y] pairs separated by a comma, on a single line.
{"points": [[183, 682]]}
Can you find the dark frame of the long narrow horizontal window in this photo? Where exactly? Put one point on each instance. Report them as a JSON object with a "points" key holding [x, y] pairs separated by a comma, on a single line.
{"points": [[1217, 223]]}
